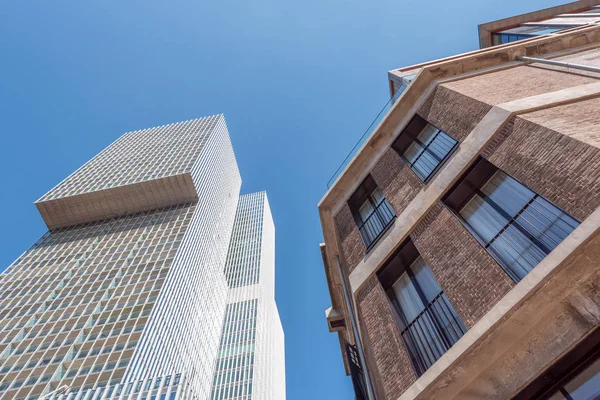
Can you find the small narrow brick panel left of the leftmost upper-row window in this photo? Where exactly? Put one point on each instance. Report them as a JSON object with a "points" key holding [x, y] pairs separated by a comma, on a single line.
{"points": [[352, 246]]}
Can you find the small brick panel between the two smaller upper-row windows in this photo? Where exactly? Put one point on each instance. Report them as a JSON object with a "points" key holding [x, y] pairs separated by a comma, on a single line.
{"points": [[396, 180]]}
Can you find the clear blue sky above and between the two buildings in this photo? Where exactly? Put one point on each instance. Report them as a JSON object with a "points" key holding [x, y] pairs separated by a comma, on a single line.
{"points": [[298, 83]]}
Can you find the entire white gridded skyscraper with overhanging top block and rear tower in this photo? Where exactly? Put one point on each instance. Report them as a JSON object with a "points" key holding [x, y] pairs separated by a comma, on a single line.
{"points": [[133, 291]]}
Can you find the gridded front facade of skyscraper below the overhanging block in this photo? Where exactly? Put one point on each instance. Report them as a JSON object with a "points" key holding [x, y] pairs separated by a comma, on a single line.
{"points": [[76, 303]]}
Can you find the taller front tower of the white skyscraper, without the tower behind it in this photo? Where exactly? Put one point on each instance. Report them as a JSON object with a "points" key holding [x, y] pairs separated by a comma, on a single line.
{"points": [[132, 303]]}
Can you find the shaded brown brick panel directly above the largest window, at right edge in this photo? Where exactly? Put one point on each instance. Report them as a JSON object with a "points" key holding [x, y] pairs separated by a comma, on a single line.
{"points": [[562, 169]]}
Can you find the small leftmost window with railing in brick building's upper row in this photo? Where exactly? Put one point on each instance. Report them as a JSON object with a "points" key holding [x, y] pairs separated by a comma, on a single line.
{"points": [[372, 212]]}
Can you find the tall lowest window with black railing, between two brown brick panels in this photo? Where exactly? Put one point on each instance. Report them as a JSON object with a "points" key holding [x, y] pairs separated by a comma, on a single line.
{"points": [[429, 323]]}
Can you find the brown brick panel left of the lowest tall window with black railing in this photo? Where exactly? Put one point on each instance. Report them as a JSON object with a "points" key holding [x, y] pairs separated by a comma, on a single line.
{"points": [[394, 373]]}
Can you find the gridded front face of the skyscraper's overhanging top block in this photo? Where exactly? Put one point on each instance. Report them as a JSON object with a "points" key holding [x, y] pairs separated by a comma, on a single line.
{"points": [[139, 156]]}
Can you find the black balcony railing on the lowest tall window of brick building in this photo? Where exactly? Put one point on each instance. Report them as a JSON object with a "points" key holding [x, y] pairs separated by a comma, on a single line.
{"points": [[432, 333]]}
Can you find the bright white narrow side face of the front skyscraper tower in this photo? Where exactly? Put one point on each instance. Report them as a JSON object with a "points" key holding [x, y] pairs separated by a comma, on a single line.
{"points": [[183, 333]]}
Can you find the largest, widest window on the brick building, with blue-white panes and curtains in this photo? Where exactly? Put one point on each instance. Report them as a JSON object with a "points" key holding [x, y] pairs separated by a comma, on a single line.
{"points": [[517, 226]]}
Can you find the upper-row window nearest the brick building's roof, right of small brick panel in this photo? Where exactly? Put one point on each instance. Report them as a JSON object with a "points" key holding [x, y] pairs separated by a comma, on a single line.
{"points": [[424, 147]]}
